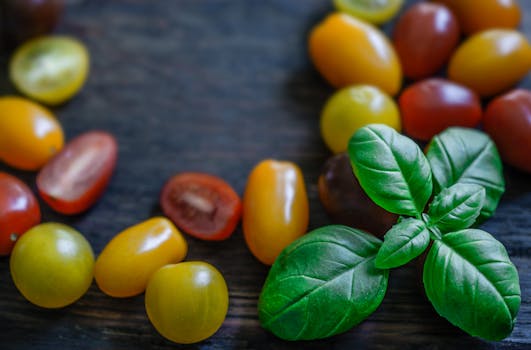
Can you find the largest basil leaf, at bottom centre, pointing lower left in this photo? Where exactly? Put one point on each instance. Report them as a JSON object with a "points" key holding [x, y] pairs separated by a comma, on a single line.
{"points": [[322, 284]]}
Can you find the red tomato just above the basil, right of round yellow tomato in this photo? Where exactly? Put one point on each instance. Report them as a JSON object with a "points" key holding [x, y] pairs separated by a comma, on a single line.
{"points": [[430, 106]]}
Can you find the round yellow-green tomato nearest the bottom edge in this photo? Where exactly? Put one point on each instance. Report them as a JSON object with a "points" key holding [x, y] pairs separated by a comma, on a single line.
{"points": [[187, 302]]}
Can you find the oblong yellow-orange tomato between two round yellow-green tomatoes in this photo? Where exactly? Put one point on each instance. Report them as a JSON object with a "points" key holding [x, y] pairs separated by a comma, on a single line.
{"points": [[127, 262]]}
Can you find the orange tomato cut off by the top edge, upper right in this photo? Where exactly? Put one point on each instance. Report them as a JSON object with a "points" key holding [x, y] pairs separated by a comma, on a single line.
{"points": [[477, 15]]}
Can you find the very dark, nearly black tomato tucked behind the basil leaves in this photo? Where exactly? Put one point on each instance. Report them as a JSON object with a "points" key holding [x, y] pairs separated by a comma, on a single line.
{"points": [[345, 200]]}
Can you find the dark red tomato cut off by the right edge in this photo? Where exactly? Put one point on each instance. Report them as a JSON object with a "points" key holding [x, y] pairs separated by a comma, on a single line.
{"points": [[507, 120]]}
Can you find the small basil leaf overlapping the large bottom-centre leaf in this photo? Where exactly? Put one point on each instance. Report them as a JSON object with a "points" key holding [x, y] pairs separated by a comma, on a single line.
{"points": [[402, 243]]}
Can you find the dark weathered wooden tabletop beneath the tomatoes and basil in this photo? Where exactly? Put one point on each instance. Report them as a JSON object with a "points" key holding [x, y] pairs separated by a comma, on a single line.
{"points": [[216, 86]]}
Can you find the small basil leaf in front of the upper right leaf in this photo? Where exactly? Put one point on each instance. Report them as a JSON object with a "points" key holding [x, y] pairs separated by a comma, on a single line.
{"points": [[456, 207]]}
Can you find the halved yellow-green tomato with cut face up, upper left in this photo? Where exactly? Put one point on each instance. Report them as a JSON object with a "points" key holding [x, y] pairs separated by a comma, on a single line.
{"points": [[50, 69]]}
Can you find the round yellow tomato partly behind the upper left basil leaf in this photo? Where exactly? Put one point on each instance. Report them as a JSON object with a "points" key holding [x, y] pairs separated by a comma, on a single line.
{"points": [[351, 108]]}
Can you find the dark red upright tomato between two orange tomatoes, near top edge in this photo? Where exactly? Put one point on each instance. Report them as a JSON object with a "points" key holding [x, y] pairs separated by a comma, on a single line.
{"points": [[425, 37]]}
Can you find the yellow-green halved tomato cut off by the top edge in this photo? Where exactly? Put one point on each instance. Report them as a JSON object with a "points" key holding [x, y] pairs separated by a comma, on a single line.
{"points": [[376, 12]]}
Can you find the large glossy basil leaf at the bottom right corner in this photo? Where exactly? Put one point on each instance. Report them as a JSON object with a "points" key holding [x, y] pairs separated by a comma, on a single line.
{"points": [[470, 280]]}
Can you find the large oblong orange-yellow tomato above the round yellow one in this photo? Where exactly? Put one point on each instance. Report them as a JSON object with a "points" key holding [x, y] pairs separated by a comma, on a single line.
{"points": [[348, 51]]}
